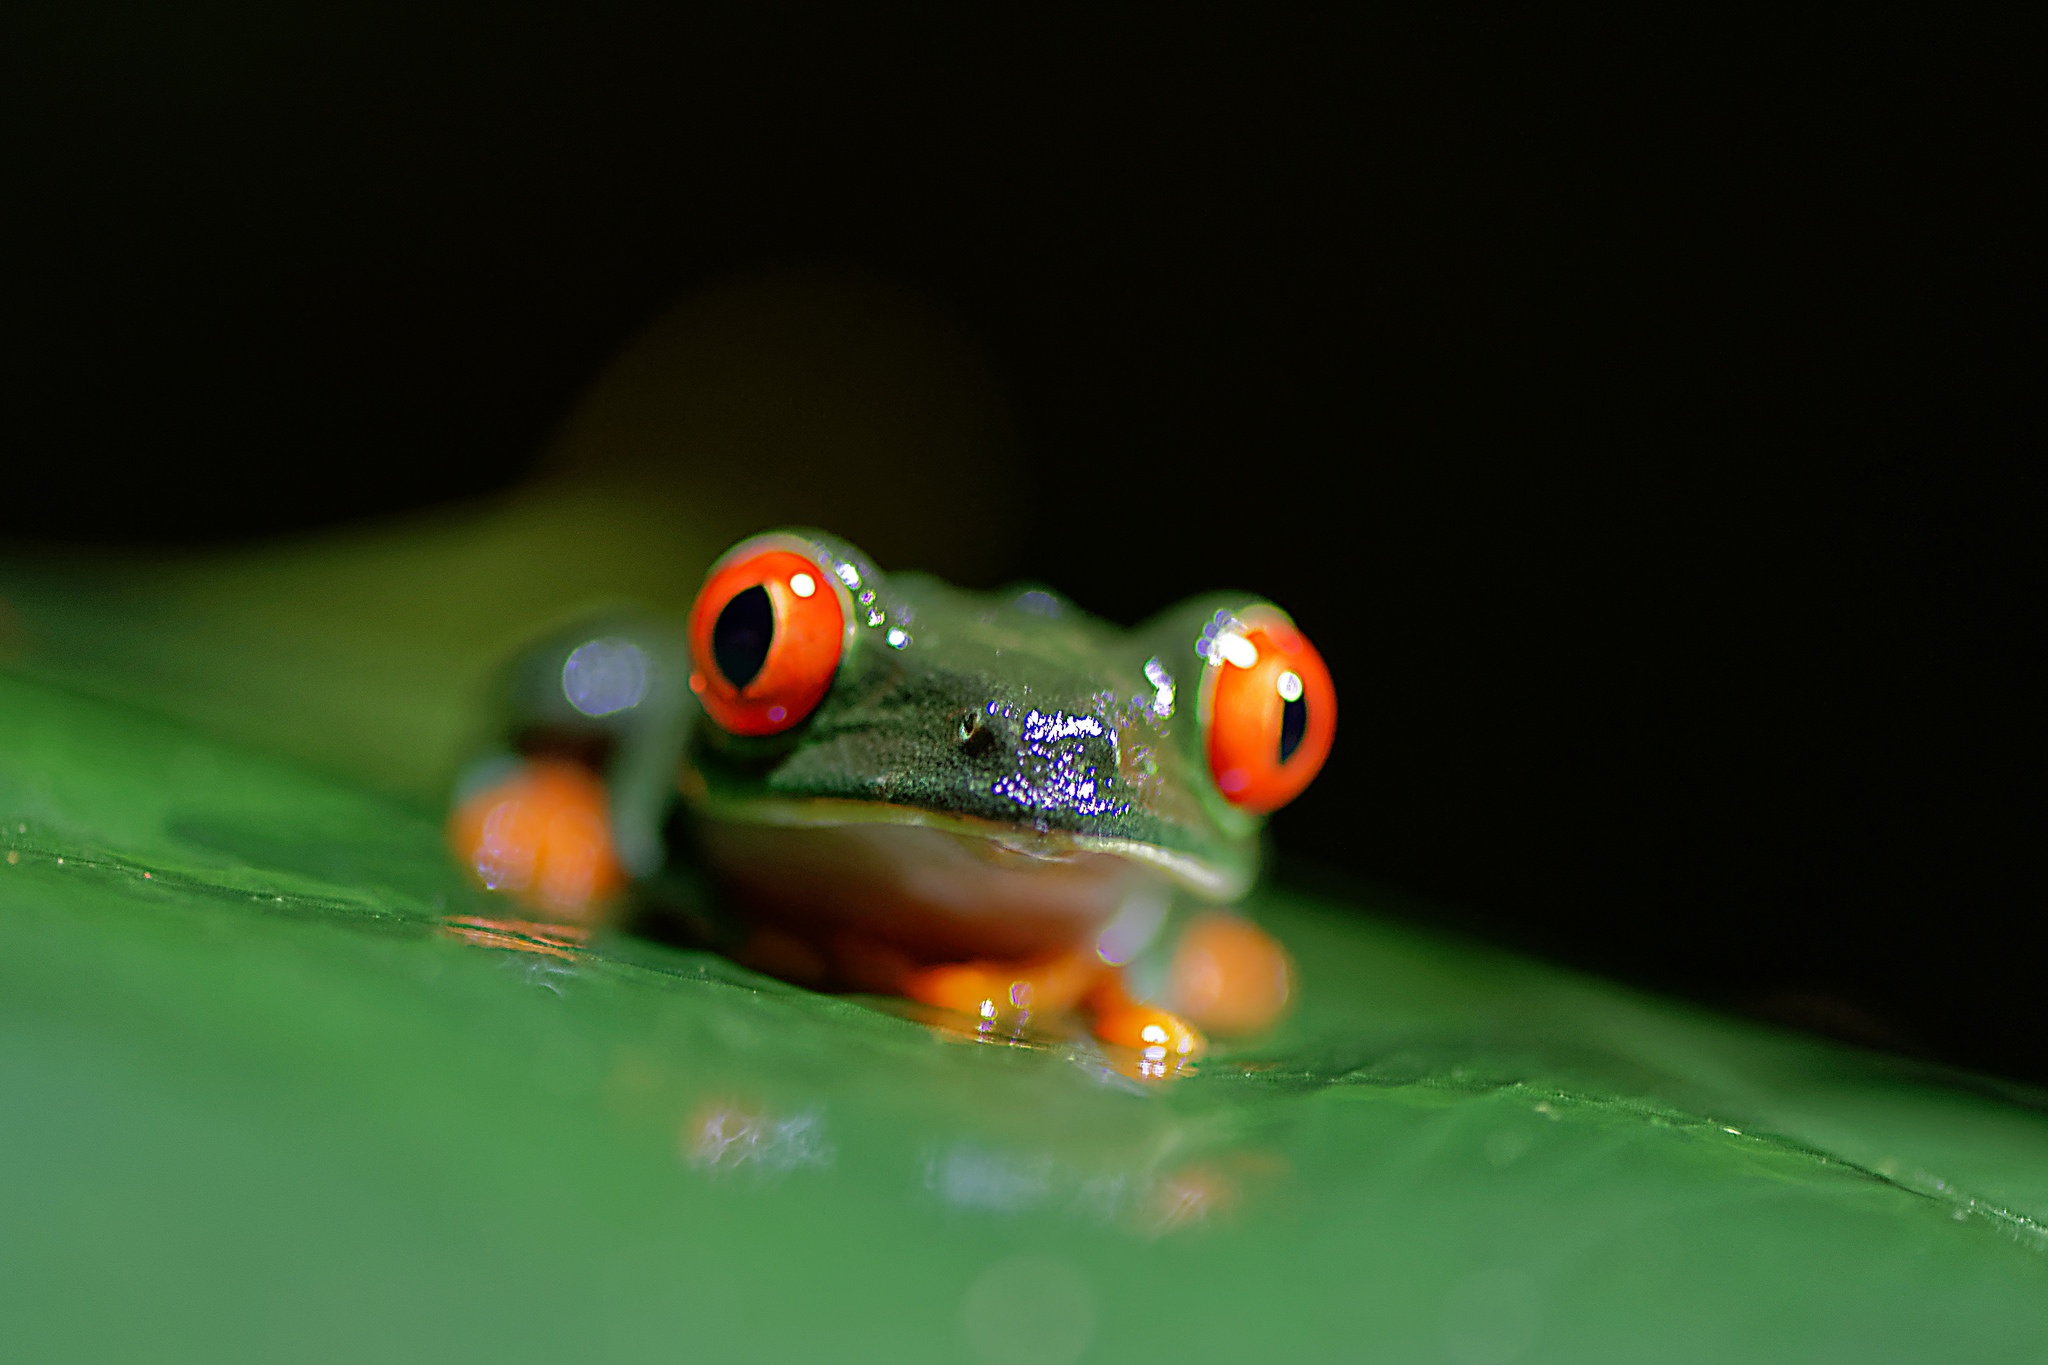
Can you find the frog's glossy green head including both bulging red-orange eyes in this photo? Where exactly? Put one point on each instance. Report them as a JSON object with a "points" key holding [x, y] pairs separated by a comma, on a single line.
{"points": [[841, 699]]}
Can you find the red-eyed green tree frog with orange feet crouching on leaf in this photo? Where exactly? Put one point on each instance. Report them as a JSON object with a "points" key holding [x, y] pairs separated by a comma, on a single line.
{"points": [[992, 805]]}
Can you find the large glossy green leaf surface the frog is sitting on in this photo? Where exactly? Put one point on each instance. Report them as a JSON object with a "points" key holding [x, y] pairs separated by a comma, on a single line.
{"points": [[282, 1086]]}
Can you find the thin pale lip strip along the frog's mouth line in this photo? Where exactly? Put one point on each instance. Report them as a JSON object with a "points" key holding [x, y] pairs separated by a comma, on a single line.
{"points": [[1205, 879]]}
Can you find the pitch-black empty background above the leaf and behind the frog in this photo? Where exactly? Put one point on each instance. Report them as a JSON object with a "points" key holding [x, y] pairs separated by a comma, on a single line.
{"points": [[1641, 433]]}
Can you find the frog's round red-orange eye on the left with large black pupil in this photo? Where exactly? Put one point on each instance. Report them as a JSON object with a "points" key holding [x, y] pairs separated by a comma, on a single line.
{"points": [[767, 631]]}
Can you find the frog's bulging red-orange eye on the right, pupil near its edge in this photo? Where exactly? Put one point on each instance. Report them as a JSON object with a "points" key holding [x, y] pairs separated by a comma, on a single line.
{"points": [[1271, 709]]}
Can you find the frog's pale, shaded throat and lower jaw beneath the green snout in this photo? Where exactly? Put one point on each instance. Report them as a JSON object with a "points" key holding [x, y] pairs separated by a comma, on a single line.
{"points": [[935, 885]]}
